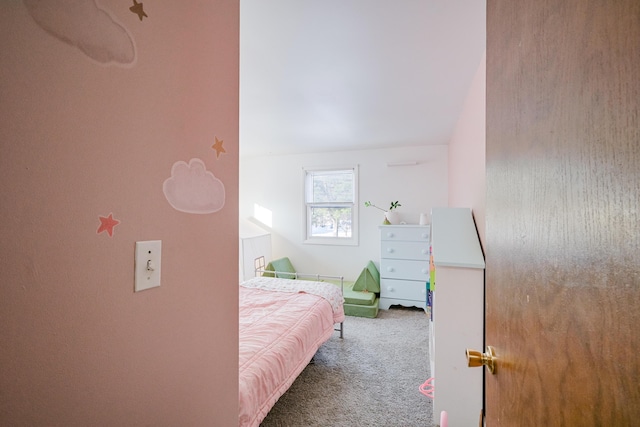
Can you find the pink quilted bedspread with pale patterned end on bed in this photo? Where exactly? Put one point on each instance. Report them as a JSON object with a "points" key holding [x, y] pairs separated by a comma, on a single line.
{"points": [[280, 331]]}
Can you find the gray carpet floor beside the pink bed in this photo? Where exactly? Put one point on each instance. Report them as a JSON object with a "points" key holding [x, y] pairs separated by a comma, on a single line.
{"points": [[369, 378]]}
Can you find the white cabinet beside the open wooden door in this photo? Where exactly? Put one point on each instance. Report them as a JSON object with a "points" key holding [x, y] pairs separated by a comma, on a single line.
{"points": [[458, 315]]}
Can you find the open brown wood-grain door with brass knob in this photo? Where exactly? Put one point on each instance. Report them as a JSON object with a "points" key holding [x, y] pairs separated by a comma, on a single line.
{"points": [[563, 212]]}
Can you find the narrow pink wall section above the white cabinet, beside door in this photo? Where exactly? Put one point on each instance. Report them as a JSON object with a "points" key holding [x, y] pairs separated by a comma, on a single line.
{"points": [[467, 153]]}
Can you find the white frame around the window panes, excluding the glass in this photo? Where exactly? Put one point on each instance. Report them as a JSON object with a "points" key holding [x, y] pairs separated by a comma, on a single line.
{"points": [[308, 206]]}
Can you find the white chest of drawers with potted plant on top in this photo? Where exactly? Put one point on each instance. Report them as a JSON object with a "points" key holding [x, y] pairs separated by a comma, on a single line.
{"points": [[404, 265]]}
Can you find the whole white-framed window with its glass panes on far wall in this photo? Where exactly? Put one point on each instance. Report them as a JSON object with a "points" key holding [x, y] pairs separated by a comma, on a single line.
{"points": [[331, 206]]}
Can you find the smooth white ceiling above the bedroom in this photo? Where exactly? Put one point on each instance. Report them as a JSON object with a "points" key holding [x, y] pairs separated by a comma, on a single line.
{"points": [[327, 75]]}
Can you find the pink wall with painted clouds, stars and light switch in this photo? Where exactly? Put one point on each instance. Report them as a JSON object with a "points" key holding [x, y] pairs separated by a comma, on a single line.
{"points": [[82, 138]]}
